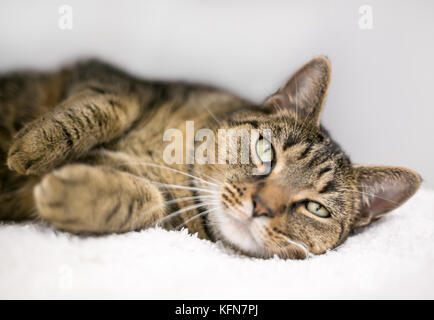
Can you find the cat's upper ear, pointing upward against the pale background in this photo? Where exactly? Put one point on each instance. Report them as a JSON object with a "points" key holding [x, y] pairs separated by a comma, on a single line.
{"points": [[305, 92]]}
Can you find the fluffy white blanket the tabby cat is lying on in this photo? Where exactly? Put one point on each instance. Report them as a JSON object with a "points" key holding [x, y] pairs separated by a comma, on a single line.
{"points": [[393, 258]]}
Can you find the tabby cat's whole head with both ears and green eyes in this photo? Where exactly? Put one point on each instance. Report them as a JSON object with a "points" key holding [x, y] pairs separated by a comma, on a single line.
{"points": [[311, 196]]}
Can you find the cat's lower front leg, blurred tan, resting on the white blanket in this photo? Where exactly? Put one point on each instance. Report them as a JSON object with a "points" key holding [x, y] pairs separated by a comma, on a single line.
{"points": [[85, 199]]}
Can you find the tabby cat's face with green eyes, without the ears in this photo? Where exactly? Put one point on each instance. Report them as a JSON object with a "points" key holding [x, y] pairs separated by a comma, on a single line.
{"points": [[304, 202]]}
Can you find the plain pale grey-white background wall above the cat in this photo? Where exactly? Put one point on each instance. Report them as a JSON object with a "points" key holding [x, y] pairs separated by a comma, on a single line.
{"points": [[380, 105]]}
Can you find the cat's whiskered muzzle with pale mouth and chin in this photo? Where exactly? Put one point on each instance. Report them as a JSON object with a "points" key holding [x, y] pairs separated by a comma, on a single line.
{"points": [[238, 217]]}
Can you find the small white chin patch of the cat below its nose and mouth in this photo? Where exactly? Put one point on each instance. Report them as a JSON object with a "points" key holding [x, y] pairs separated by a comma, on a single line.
{"points": [[234, 229]]}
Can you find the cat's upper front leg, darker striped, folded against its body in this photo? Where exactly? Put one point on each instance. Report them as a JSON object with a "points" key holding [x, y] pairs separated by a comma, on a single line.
{"points": [[70, 130]]}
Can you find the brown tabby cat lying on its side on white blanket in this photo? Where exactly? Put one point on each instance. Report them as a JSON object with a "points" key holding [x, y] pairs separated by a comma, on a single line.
{"points": [[82, 149]]}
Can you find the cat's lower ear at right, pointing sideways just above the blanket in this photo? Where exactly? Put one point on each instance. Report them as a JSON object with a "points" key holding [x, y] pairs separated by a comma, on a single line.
{"points": [[382, 189]]}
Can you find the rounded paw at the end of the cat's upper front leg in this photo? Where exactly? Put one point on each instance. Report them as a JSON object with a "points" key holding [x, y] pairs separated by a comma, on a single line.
{"points": [[38, 148]]}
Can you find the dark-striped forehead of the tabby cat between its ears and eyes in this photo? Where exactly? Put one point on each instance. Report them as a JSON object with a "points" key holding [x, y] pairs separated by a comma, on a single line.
{"points": [[306, 155]]}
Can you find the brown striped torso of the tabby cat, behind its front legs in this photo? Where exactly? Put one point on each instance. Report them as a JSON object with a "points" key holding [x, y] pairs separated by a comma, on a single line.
{"points": [[27, 96]]}
